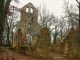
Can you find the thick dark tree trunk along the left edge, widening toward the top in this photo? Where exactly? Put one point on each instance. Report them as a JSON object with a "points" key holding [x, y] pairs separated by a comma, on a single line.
{"points": [[3, 15]]}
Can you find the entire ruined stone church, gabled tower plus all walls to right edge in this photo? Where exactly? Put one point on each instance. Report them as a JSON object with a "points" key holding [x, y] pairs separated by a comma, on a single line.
{"points": [[34, 40]]}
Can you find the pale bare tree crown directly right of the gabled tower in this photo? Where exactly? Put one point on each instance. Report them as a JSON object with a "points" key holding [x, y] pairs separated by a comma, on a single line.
{"points": [[45, 17]]}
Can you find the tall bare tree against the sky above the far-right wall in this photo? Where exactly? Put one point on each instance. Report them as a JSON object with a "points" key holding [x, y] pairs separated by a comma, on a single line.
{"points": [[70, 13]]}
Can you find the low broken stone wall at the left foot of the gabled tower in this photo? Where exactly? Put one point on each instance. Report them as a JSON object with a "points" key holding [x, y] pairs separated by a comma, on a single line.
{"points": [[19, 38]]}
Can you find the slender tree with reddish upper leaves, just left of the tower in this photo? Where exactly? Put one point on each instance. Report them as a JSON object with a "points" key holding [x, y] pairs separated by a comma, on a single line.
{"points": [[11, 23]]}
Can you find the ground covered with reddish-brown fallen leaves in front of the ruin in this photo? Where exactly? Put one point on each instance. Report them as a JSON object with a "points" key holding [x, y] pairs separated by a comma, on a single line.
{"points": [[10, 55]]}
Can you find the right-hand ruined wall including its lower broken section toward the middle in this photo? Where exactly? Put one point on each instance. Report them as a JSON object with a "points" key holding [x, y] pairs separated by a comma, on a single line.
{"points": [[70, 45]]}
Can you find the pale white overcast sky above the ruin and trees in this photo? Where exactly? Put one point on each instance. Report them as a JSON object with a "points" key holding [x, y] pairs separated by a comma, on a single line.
{"points": [[54, 6]]}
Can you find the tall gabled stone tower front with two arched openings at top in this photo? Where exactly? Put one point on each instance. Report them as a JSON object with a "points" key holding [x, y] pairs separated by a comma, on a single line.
{"points": [[28, 22]]}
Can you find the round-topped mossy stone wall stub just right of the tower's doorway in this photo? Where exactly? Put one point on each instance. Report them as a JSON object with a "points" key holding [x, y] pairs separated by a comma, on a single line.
{"points": [[43, 43]]}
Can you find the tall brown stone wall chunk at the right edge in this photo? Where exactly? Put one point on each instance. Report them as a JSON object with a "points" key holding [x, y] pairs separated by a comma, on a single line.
{"points": [[72, 44]]}
